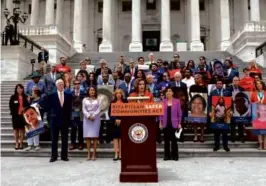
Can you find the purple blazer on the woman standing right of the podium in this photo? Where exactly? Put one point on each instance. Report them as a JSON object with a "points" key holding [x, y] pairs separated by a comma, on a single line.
{"points": [[176, 113]]}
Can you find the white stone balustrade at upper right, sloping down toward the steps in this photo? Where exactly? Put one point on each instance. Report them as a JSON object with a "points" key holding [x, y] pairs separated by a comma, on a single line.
{"points": [[254, 26]]}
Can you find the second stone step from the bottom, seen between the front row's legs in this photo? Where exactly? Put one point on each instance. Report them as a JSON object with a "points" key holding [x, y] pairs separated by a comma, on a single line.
{"points": [[186, 144]]}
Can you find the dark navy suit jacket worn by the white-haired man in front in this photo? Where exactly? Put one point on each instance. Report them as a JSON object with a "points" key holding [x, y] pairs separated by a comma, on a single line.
{"points": [[60, 116]]}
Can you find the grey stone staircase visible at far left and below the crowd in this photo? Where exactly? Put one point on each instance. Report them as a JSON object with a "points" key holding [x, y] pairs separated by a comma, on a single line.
{"points": [[186, 149]]}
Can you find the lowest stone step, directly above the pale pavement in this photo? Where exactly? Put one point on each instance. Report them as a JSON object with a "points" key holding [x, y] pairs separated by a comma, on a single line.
{"points": [[109, 153]]}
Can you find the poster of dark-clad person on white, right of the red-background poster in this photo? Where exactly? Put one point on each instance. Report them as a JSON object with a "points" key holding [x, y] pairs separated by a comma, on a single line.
{"points": [[241, 107]]}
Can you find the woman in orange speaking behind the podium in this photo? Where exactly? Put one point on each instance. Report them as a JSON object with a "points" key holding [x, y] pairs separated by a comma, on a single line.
{"points": [[141, 91]]}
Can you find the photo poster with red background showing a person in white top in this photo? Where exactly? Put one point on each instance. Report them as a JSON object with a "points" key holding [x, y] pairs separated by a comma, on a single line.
{"points": [[221, 112]]}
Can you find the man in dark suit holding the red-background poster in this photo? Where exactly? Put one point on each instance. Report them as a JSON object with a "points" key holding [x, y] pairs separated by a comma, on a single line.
{"points": [[220, 91]]}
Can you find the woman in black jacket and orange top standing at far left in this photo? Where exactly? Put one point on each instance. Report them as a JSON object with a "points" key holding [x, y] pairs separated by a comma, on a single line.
{"points": [[18, 101]]}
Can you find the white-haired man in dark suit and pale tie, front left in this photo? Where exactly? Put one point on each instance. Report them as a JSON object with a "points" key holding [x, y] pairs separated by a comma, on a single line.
{"points": [[60, 105]]}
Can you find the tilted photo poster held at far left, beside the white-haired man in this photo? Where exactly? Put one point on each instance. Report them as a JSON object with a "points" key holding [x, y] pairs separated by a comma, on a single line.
{"points": [[34, 124]]}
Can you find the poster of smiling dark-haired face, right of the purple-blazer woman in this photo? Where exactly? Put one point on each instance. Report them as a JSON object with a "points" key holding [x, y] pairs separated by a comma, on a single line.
{"points": [[197, 108]]}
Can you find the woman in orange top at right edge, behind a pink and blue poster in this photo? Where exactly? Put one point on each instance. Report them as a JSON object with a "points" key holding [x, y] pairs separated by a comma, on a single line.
{"points": [[259, 96]]}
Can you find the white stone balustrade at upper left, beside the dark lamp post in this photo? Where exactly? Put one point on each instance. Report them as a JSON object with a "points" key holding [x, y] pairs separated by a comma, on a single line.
{"points": [[42, 30]]}
